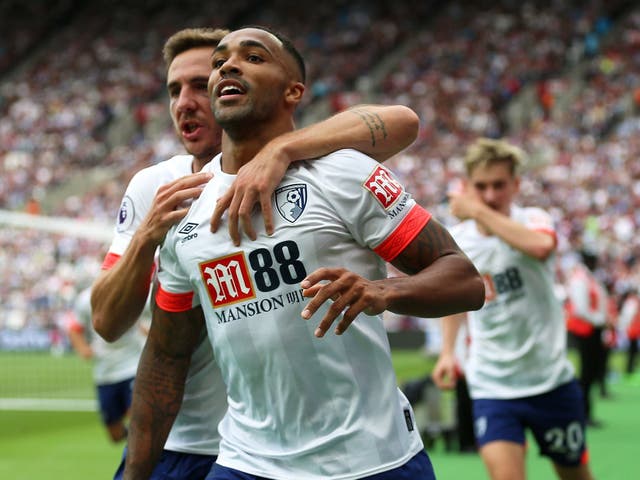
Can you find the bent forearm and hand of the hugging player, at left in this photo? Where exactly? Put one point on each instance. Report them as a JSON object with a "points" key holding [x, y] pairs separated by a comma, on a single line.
{"points": [[119, 294]]}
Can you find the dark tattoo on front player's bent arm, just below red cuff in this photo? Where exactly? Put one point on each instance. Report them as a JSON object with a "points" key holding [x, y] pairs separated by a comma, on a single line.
{"points": [[432, 242]]}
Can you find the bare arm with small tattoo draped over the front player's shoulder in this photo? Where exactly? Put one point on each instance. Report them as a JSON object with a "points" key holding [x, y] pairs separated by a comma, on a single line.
{"points": [[377, 130]]}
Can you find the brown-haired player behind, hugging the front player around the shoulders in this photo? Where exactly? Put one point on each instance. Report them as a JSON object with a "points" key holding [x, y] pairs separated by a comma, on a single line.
{"points": [[154, 201]]}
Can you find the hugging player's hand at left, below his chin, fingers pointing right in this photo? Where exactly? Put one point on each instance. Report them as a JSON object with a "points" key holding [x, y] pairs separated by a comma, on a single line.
{"points": [[171, 204]]}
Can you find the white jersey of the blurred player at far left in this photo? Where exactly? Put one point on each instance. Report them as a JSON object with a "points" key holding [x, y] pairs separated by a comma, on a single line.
{"points": [[113, 362]]}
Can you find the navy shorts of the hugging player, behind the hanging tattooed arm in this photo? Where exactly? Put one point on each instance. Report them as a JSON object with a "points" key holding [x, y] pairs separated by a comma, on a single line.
{"points": [[176, 466]]}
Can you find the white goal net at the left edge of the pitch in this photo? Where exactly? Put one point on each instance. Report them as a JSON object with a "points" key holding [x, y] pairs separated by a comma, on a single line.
{"points": [[44, 263]]}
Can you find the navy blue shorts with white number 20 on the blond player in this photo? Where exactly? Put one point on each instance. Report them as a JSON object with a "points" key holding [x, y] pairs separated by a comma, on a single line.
{"points": [[555, 418]]}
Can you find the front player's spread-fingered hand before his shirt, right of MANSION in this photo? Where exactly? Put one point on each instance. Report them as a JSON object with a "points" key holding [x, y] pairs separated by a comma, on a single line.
{"points": [[349, 294]]}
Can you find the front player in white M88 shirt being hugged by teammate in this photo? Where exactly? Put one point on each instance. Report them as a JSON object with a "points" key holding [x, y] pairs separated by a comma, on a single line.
{"points": [[299, 406]]}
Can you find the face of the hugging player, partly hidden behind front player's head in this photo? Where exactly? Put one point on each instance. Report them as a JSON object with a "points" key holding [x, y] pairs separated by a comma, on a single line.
{"points": [[189, 103]]}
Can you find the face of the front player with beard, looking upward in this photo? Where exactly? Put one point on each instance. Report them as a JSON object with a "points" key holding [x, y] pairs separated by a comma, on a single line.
{"points": [[250, 77]]}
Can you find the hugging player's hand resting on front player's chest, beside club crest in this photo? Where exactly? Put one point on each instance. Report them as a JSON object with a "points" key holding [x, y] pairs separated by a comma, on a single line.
{"points": [[254, 184]]}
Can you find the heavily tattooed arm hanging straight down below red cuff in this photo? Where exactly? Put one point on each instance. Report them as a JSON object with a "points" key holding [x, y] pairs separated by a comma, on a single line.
{"points": [[159, 386]]}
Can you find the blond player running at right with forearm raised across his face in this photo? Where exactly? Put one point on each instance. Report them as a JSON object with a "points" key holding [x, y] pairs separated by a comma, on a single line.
{"points": [[518, 371]]}
